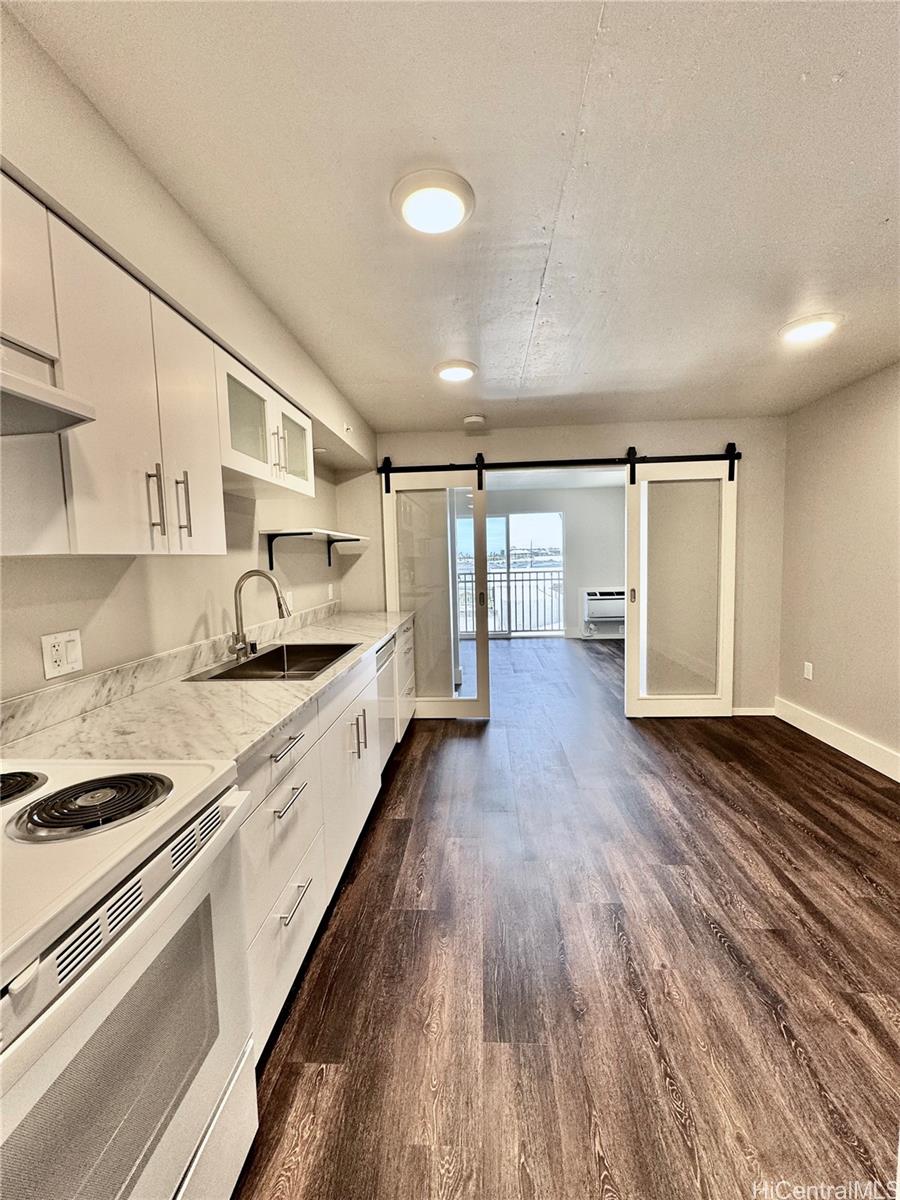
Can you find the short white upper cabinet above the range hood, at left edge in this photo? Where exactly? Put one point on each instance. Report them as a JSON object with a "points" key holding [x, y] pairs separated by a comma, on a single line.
{"points": [[29, 317]]}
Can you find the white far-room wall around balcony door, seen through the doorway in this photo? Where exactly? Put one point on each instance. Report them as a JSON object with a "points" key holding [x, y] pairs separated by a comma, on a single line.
{"points": [[595, 536]]}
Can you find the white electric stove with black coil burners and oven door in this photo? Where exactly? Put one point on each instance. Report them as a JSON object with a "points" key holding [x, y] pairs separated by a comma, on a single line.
{"points": [[124, 994]]}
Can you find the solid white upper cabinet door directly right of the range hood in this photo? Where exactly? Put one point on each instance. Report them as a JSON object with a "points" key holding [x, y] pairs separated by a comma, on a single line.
{"points": [[115, 481]]}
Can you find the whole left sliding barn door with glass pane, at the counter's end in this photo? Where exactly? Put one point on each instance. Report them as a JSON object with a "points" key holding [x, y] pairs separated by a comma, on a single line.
{"points": [[436, 565]]}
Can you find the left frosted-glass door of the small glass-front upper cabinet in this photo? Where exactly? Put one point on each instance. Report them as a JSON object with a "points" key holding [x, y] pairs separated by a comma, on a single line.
{"points": [[248, 433]]}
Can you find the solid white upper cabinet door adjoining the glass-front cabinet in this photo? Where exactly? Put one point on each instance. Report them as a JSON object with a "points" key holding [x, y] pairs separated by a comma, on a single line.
{"points": [[189, 423]]}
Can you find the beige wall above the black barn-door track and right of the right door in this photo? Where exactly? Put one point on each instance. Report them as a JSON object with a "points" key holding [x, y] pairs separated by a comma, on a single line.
{"points": [[761, 490]]}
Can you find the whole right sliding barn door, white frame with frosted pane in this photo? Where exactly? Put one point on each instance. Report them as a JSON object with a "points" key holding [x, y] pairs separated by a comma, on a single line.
{"points": [[680, 632]]}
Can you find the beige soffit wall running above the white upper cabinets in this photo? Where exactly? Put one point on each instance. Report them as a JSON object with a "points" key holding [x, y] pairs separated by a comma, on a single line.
{"points": [[57, 143]]}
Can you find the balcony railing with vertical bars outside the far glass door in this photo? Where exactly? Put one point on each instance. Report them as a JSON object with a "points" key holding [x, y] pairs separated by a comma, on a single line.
{"points": [[518, 602]]}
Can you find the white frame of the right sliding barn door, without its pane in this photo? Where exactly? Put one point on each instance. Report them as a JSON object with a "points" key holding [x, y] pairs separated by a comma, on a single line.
{"points": [[718, 704]]}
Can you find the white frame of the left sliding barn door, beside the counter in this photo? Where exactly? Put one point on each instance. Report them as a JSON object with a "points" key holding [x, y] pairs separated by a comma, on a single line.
{"points": [[430, 482]]}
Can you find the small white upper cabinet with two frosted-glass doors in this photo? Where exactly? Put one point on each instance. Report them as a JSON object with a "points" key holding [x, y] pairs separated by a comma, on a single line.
{"points": [[265, 439]]}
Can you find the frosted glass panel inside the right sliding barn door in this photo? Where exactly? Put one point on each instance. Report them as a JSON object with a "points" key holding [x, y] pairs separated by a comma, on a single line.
{"points": [[682, 587]]}
